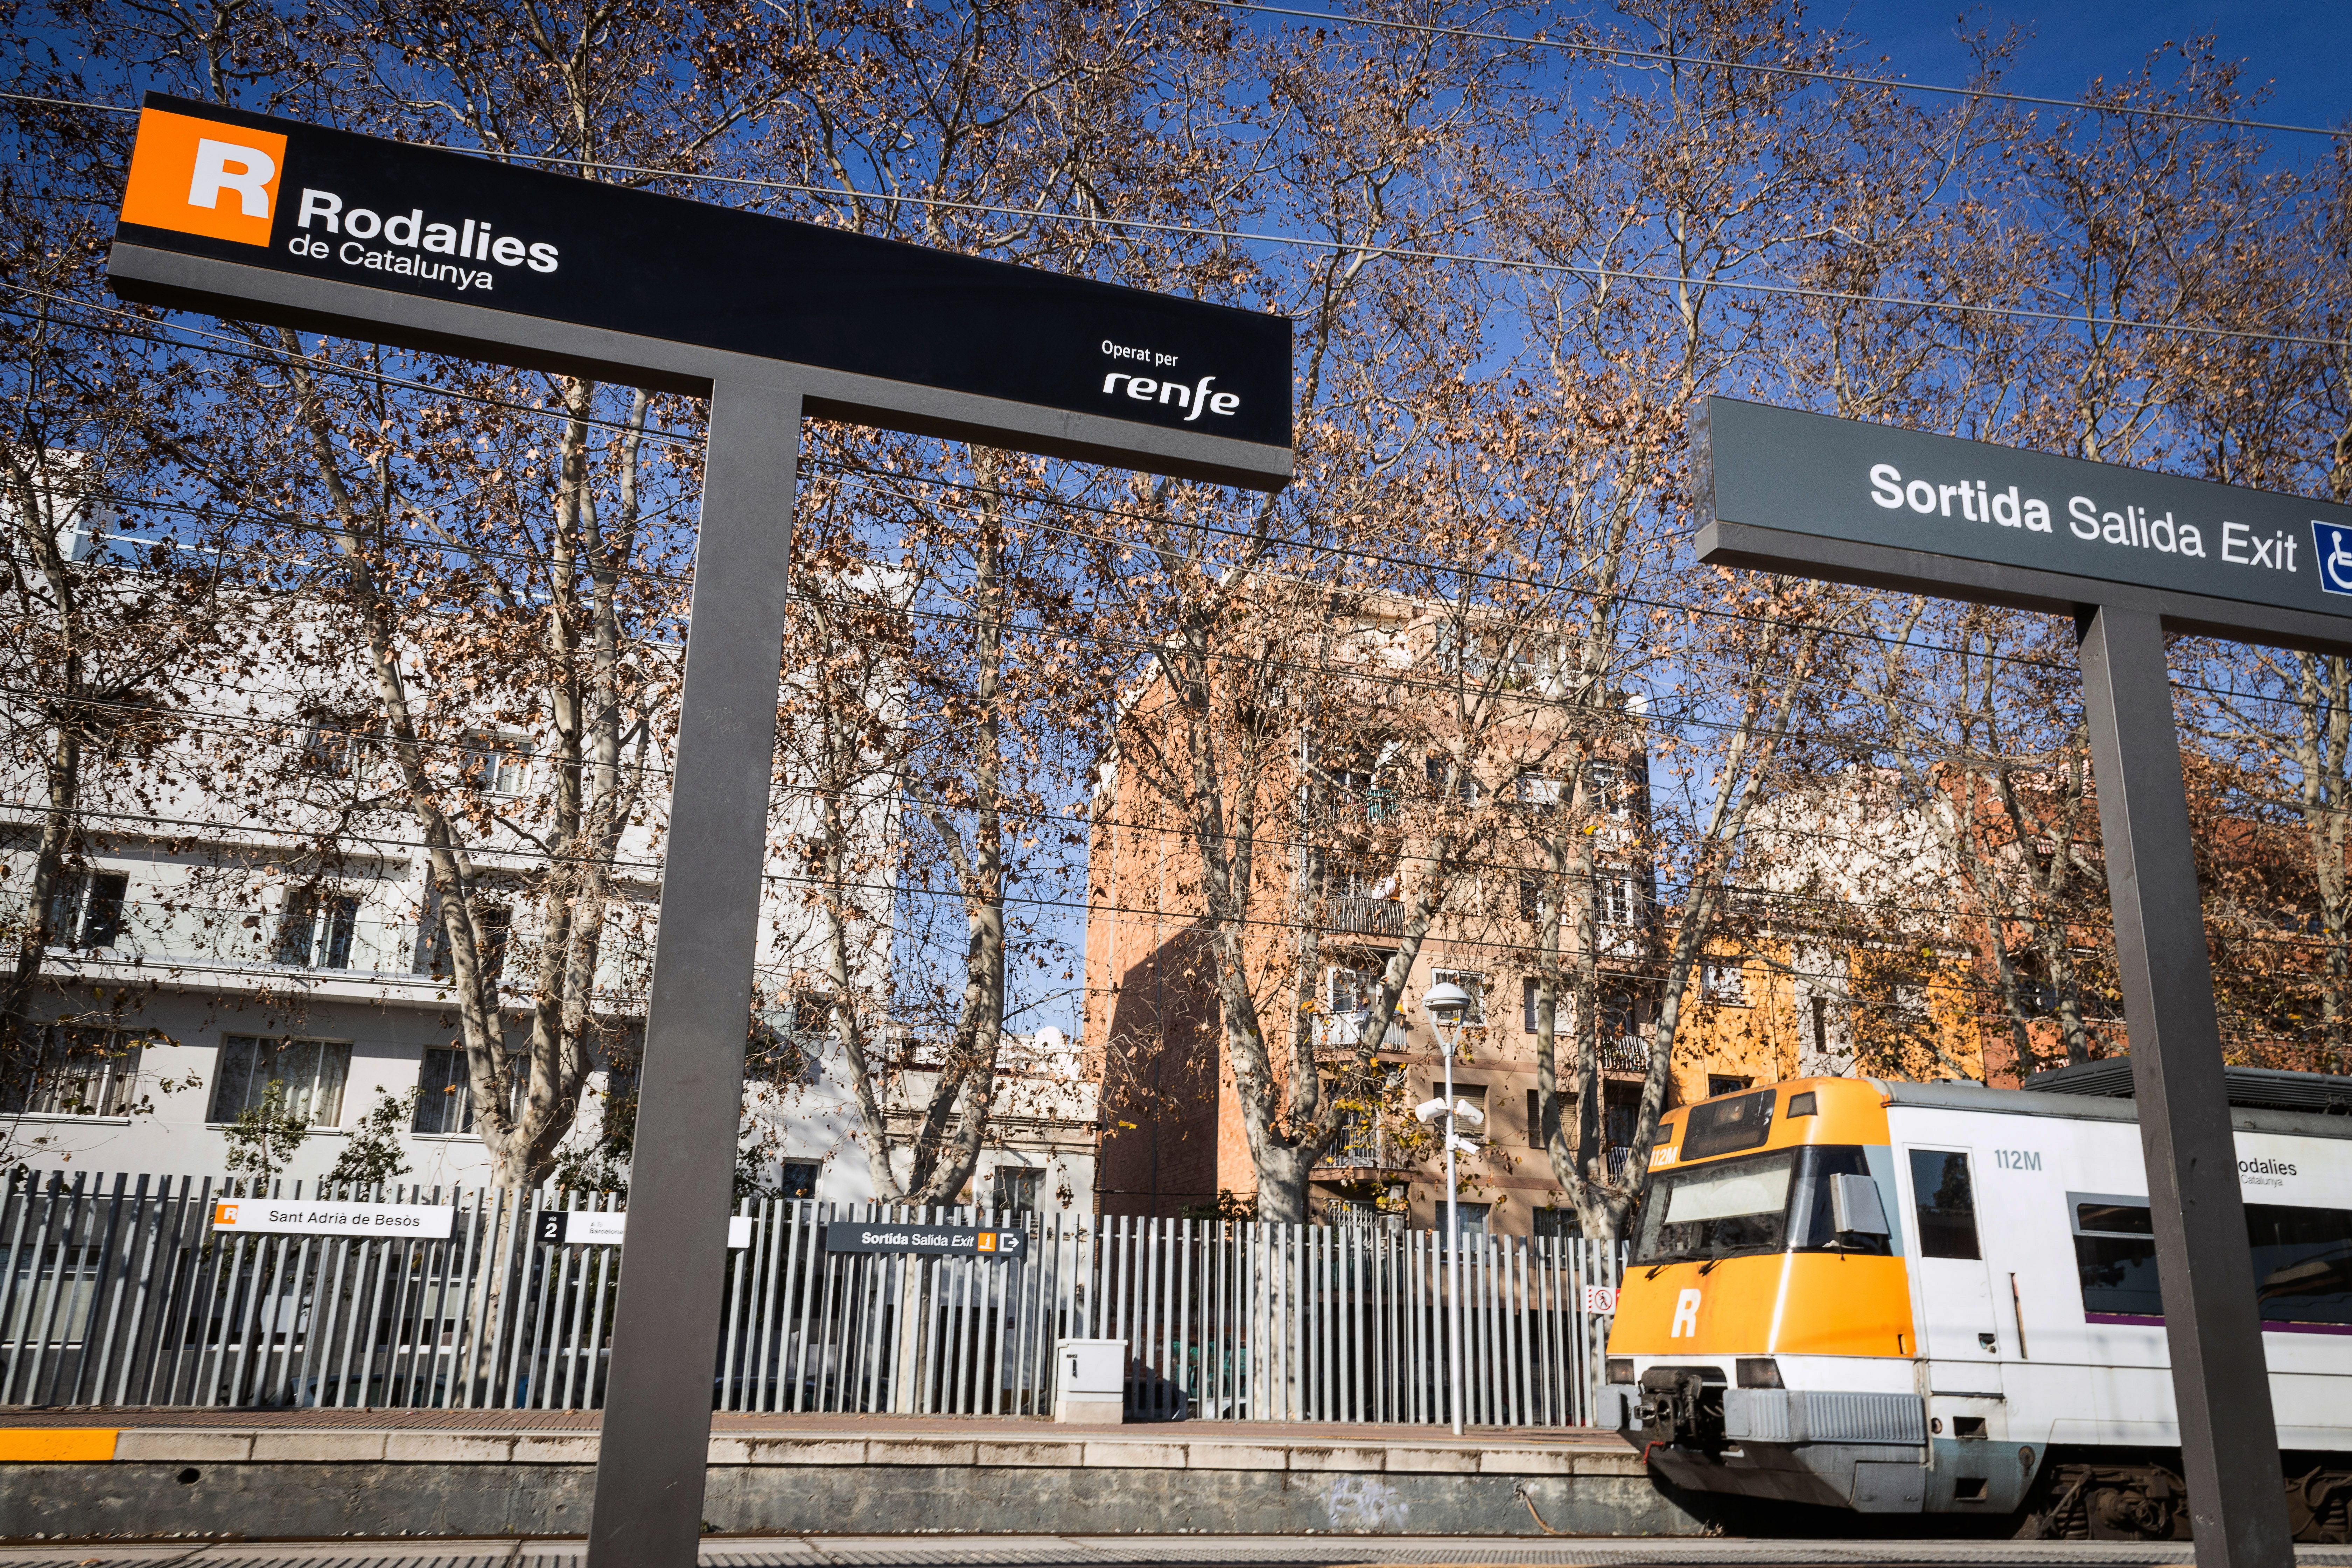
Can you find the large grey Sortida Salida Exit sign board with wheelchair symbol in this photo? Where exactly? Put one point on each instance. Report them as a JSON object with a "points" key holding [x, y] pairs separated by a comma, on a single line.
{"points": [[1878, 485]]}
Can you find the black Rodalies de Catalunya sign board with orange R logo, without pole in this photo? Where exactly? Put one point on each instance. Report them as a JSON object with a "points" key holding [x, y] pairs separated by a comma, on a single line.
{"points": [[446, 227]]}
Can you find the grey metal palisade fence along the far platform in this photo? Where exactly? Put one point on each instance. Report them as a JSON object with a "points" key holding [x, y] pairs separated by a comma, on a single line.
{"points": [[119, 1292]]}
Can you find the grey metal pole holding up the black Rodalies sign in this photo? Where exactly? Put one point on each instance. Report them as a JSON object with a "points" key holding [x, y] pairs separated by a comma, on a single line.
{"points": [[690, 1085]]}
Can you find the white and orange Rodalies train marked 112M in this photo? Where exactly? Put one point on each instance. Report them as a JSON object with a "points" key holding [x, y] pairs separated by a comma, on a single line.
{"points": [[1942, 1299]]}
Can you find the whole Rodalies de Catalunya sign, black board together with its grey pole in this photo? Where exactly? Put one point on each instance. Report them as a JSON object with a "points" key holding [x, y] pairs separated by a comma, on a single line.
{"points": [[773, 321]]}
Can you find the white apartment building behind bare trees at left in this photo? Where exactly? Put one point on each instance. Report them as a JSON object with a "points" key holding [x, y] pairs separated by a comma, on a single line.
{"points": [[225, 956]]}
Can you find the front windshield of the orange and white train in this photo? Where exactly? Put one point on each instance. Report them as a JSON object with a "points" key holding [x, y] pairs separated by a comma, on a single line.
{"points": [[1763, 1205]]}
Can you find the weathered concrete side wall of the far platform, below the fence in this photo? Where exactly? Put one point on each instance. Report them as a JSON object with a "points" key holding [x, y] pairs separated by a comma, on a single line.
{"points": [[432, 1499]]}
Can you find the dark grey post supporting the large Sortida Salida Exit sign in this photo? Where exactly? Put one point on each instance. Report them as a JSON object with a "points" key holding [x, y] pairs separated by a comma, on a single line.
{"points": [[2212, 1318]]}
